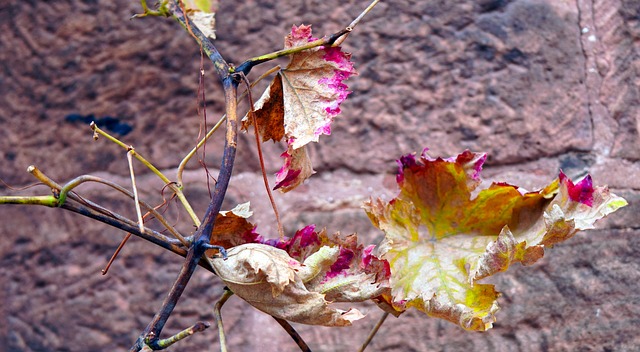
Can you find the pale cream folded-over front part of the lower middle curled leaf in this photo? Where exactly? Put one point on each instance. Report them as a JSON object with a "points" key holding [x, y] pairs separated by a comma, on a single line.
{"points": [[270, 280]]}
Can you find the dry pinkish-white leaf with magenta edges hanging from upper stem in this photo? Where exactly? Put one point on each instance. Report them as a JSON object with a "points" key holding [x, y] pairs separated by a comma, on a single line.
{"points": [[301, 102]]}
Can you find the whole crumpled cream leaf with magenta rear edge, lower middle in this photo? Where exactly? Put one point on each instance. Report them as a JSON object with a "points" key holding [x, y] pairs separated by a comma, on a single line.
{"points": [[296, 279]]}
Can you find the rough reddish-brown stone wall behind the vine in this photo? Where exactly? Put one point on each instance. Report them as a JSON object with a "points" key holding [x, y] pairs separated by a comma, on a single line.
{"points": [[539, 85]]}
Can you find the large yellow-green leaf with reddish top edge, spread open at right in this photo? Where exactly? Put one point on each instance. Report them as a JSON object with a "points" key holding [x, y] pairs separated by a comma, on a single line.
{"points": [[440, 239]]}
